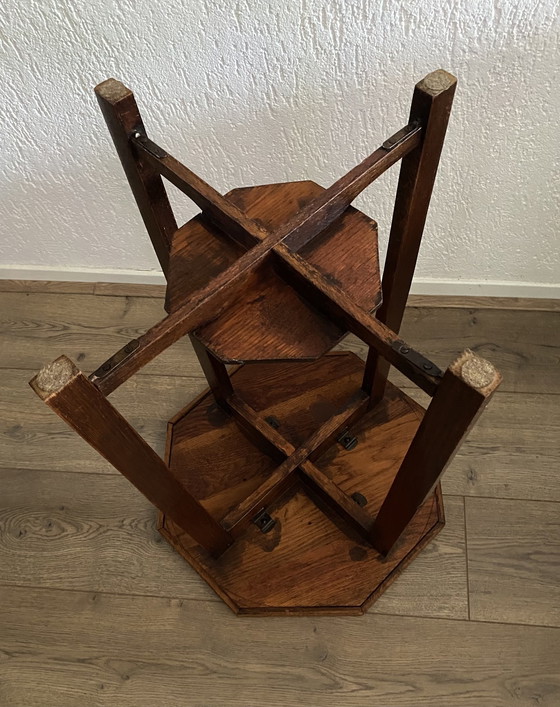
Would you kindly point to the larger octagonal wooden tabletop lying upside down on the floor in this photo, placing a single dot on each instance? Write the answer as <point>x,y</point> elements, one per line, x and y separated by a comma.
<point>309,563</point>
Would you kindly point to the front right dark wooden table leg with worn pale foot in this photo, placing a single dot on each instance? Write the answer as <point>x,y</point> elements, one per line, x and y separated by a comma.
<point>466,388</point>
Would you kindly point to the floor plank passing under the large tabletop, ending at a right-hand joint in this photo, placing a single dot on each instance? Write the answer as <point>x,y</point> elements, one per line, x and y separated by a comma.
<point>97,533</point>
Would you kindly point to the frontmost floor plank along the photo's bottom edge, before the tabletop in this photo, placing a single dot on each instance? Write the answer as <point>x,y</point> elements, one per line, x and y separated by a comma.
<point>72,649</point>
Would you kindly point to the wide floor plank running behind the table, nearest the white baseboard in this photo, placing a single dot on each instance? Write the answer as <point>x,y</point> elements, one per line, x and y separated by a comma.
<point>37,327</point>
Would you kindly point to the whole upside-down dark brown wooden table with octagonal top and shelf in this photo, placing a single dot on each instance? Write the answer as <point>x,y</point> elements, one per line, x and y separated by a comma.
<point>272,273</point>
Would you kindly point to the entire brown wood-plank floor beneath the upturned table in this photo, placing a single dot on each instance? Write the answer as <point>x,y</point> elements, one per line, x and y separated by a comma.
<point>95,609</point>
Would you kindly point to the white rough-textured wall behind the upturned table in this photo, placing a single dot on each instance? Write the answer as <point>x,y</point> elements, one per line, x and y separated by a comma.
<point>254,91</point>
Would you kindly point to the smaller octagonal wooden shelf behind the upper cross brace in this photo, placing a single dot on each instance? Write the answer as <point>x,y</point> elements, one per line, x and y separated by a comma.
<point>287,325</point>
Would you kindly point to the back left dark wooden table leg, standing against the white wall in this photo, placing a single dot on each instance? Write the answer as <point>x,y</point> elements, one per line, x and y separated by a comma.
<point>123,119</point>
